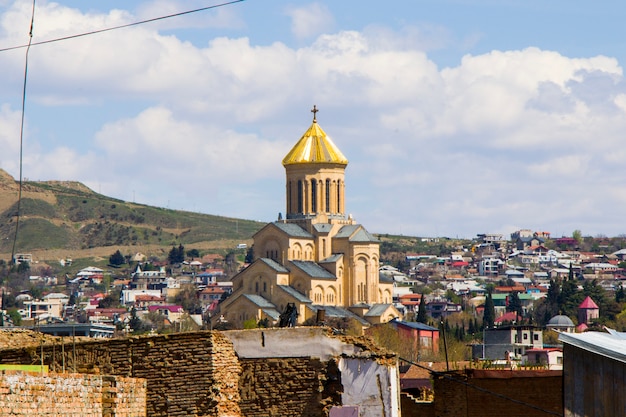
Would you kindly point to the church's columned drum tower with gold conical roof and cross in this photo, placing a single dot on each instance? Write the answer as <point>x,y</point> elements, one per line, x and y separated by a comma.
<point>315,170</point>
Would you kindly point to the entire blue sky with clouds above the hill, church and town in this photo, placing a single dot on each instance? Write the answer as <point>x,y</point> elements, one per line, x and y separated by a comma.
<point>457,117</point>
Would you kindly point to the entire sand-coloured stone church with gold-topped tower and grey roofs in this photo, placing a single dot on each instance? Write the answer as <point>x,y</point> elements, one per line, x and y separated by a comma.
<point>316,261</point>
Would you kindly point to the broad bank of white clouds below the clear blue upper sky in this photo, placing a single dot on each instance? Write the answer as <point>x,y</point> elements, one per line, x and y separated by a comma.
<point>523,137</point>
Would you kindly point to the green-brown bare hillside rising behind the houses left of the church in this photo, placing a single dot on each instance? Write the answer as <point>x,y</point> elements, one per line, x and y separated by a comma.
<point>68,217</point>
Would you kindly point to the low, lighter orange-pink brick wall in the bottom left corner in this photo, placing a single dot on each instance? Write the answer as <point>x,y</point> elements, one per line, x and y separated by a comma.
<point>69,395</point>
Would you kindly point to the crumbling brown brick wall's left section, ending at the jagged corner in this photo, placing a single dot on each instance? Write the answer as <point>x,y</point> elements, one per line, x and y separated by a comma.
<point>187,373</point>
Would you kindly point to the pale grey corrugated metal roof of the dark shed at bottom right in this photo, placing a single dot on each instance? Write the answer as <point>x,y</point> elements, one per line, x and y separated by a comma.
<point>611,345</point>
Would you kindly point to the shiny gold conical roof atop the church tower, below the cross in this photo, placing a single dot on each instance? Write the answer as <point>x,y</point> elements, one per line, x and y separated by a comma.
<point>313,148</point>
